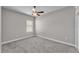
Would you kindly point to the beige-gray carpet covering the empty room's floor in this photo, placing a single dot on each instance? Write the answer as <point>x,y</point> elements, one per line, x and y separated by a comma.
<point>37,45</point>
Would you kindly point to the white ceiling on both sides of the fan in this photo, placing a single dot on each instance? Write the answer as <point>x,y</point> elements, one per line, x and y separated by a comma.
<point>28,9</point>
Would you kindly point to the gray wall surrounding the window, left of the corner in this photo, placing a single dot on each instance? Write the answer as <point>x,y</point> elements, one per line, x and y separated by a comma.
<point>14,24</point>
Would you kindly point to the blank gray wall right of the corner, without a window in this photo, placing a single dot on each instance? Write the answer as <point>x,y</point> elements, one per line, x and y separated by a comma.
<point>58,25</point>
